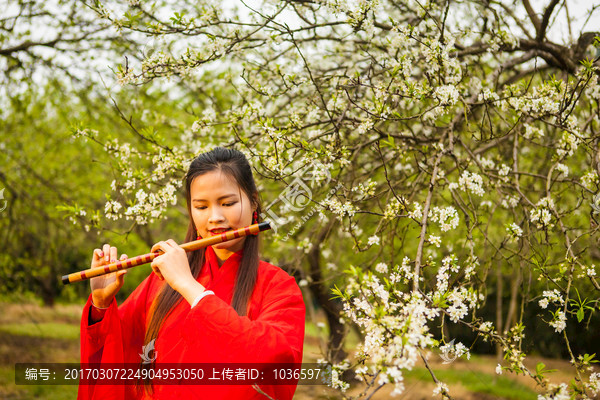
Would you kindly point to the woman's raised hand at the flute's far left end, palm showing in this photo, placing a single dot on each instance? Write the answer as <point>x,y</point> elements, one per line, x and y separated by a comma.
<point>105,287</point>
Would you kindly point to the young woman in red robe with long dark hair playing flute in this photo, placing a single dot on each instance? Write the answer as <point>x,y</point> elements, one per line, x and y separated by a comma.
<point>220,304</point>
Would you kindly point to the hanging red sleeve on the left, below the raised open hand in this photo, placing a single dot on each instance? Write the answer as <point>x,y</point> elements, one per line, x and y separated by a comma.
<point>117,338</point>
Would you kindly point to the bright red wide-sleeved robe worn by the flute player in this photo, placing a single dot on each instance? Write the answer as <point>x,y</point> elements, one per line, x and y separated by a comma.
<point>211,332</point>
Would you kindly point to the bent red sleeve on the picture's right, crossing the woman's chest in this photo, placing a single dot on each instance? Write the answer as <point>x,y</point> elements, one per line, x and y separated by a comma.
<point>214,332</point>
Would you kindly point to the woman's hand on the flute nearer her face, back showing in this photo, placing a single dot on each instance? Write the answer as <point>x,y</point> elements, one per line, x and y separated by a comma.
<point>172,265</point>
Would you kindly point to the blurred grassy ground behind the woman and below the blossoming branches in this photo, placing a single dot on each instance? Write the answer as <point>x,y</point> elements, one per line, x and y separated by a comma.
<point>31,333</point>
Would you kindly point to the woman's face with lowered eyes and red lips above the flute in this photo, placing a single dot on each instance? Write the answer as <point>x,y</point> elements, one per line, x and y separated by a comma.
<point>218,205</point>
